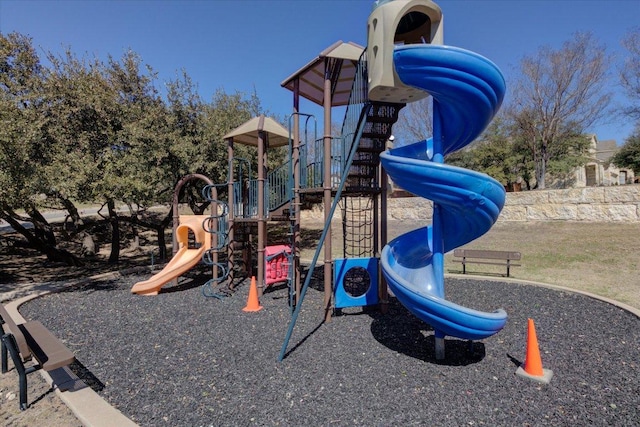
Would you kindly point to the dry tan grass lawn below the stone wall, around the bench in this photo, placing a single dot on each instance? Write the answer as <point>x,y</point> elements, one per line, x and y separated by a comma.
<point>601,258</point>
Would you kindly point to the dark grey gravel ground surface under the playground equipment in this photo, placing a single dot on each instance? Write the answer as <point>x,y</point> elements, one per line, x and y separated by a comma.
<point>183,359</point>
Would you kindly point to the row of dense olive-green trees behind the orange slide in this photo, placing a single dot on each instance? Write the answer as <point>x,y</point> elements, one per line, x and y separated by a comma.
<point>83,130</point>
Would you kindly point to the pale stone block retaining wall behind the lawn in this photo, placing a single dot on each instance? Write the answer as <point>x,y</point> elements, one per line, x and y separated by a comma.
<point>591,204</point>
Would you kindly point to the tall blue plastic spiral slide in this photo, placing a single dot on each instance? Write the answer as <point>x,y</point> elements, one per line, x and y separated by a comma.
<point>467,90</point>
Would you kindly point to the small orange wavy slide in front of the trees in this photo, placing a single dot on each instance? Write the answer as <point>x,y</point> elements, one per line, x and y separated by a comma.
<point>184,260</point>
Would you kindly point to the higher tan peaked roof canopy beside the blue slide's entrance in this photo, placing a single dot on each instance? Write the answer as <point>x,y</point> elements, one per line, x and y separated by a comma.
<point>311,76</point>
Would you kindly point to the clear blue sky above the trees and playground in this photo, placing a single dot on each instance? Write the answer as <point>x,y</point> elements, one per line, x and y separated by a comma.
<point>244,45</point>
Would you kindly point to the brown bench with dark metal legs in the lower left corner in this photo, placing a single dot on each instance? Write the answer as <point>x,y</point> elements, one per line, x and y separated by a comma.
<point>30,343</point>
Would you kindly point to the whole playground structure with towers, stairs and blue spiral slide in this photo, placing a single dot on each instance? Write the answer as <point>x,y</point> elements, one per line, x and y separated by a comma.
<point>405,61</point>
